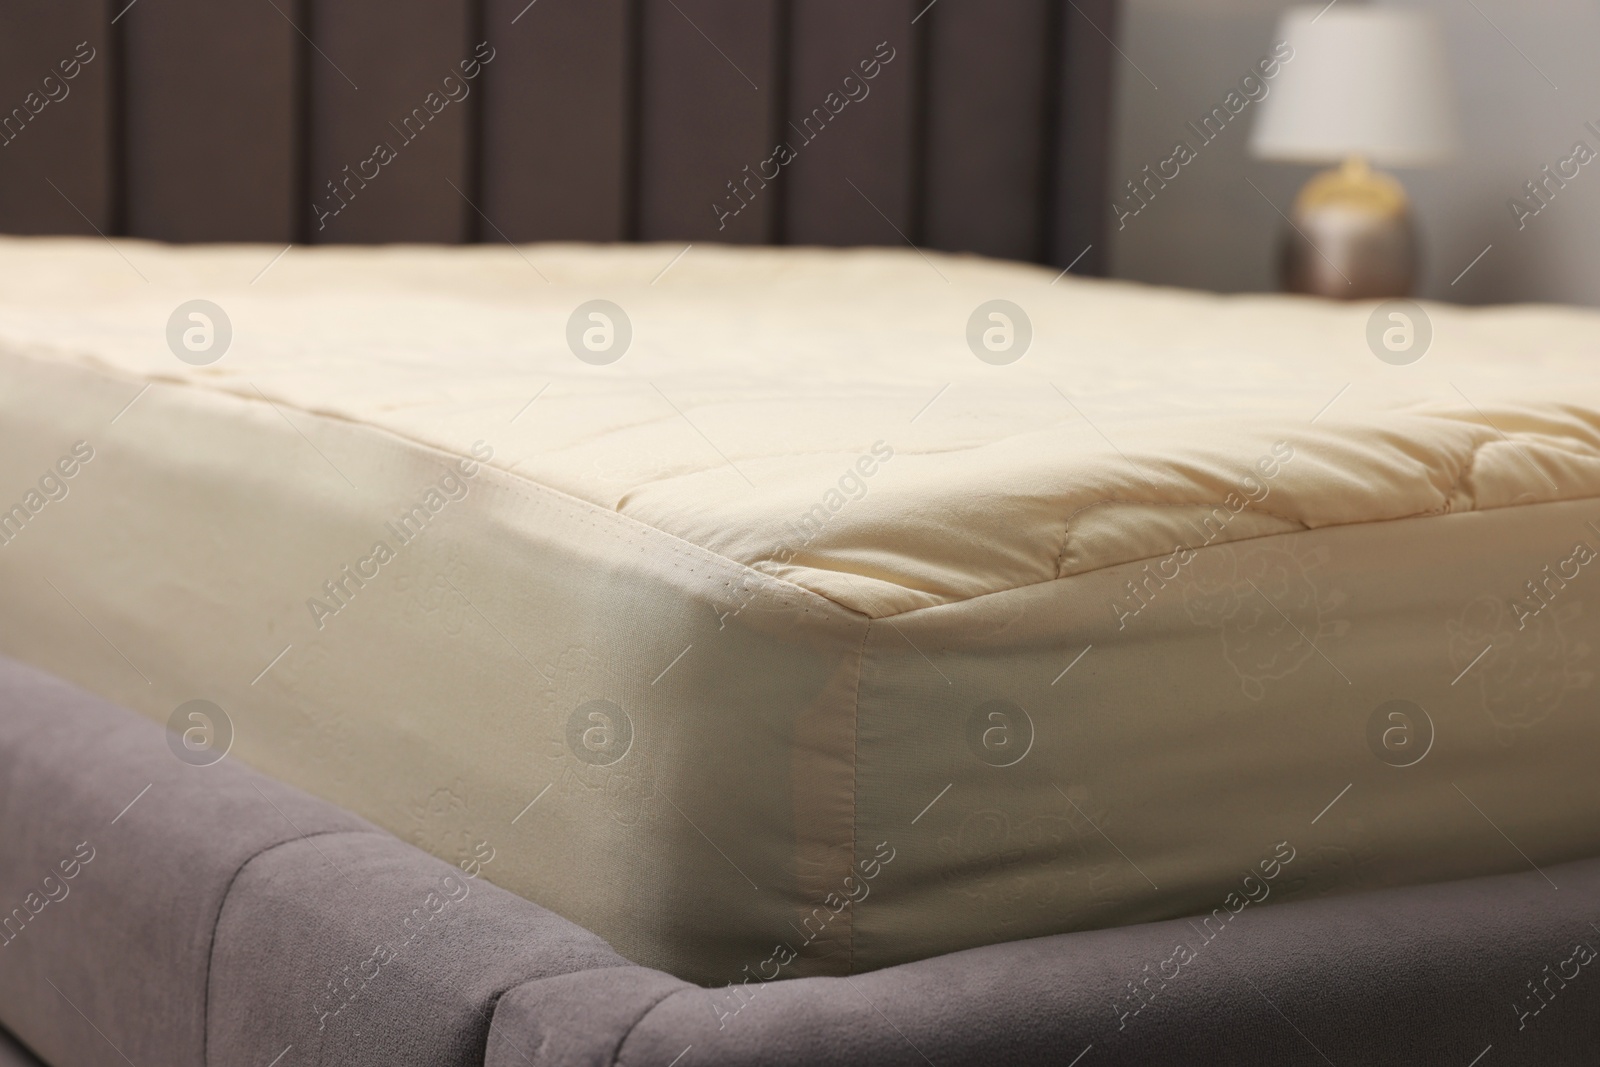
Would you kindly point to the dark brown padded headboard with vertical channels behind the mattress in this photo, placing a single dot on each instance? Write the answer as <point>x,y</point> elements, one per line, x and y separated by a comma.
<point>972,126</point>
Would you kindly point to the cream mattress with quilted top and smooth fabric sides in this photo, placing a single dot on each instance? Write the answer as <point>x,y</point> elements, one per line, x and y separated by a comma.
<point>796,612</point>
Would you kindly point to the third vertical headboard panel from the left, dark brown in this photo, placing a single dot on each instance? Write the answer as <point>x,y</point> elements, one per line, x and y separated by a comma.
<point>378,94</point>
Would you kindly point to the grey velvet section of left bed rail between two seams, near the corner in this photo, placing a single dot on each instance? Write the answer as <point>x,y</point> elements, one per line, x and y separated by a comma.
<point>362,949</point>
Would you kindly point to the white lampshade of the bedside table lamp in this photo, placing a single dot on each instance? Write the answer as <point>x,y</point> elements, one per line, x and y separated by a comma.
<point>1364,81</point>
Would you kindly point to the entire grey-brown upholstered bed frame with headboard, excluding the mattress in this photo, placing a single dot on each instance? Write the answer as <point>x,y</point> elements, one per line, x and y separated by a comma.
<point>218,917</point>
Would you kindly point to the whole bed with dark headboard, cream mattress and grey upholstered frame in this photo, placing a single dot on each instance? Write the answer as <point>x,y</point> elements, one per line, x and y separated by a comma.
<point>748,569</point>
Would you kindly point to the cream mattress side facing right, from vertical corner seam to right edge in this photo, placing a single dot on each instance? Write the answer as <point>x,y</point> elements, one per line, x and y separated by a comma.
<point>1314,713</point>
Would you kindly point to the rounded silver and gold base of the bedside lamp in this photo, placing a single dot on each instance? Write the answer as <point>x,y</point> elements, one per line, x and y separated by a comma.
<point>1351,238</point>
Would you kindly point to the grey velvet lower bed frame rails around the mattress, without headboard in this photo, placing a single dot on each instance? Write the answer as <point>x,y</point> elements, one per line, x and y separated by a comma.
<point>214,916</point>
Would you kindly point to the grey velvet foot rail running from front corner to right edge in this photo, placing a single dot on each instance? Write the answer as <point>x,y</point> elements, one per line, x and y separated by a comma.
<point>1404,977</point>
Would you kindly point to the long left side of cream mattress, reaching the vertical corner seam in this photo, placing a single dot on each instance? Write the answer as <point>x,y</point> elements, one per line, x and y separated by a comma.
<point>649,740</point>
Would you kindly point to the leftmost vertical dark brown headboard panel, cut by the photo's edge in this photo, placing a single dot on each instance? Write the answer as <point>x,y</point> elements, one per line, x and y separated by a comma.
<point>57,129</point>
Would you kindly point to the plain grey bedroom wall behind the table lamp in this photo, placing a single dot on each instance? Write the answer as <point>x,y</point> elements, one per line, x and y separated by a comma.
<point>1210,230</point>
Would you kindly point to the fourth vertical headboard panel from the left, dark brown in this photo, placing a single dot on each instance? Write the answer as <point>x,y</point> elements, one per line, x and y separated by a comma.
<point>558,121</point>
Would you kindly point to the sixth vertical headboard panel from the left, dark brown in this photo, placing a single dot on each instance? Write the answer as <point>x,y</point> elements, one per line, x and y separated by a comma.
<point>874,140</point>
